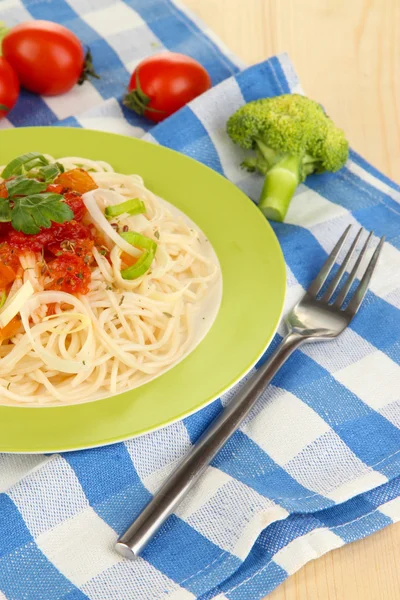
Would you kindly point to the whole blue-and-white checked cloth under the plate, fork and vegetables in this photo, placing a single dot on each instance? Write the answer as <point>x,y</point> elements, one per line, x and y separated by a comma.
<point>317,463</point>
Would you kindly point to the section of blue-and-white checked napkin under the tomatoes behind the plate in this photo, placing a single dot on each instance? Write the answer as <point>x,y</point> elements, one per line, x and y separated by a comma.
<point>119,34</point>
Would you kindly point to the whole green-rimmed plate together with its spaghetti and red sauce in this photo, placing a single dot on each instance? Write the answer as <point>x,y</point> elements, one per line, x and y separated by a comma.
<point>136,286</point>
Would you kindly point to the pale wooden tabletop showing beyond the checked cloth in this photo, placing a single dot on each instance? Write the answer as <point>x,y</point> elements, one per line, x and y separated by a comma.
<point>347,54</point>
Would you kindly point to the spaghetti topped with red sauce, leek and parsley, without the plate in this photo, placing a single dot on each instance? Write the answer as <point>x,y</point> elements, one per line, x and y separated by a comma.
<point>104,295</point>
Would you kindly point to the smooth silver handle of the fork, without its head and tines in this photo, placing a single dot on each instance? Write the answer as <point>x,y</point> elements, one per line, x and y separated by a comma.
<point>132,542</point>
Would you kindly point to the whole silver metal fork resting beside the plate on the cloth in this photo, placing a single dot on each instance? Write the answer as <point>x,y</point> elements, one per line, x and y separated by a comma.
<point>312,319</point>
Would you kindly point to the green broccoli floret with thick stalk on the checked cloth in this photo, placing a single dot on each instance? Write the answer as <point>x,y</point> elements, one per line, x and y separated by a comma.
<point>292,137</point>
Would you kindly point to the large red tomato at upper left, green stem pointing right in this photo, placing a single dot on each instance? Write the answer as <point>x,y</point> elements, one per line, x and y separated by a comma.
<point>47,57</point>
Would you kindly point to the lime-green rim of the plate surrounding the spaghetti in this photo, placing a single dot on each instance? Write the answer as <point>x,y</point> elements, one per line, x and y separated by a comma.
<point>254,287</point>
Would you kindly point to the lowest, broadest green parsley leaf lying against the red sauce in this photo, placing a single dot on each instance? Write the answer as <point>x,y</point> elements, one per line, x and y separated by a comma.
<point>39,210</point>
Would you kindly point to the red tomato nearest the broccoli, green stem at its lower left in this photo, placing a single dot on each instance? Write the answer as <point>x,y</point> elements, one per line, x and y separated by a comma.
<point>162,84</point>
